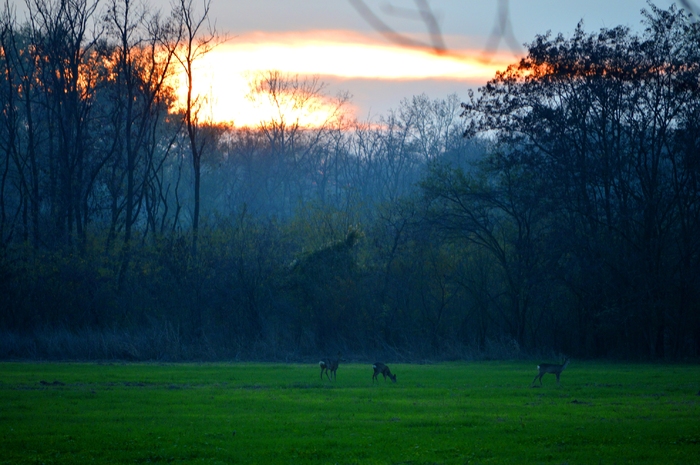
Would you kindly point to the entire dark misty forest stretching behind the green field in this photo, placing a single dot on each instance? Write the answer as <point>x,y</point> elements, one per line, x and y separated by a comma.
<point>557,211</point>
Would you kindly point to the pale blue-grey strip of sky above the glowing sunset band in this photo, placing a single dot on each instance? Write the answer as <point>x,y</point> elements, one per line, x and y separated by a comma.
<point>459,17</point>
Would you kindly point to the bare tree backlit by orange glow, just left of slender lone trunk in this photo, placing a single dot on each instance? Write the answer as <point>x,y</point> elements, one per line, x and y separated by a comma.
<point>141,67</point>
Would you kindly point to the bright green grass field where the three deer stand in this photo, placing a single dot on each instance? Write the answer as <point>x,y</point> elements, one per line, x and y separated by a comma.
<point>452,413</point>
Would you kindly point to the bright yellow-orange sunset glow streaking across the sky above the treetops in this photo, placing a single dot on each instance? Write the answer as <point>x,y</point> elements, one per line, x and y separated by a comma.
<point>222,77</point>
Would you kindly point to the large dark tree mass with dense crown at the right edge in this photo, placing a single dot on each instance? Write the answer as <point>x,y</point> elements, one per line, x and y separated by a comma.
<point>595,167</point>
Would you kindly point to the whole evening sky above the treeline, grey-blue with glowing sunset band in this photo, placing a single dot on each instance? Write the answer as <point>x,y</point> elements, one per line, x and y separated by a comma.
<point>336,40</point>
